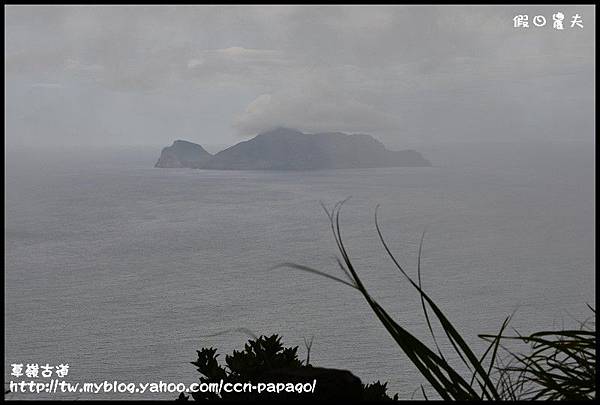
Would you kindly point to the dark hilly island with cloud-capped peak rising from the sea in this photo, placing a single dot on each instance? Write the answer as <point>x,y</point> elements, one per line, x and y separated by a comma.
<point>290,149</point>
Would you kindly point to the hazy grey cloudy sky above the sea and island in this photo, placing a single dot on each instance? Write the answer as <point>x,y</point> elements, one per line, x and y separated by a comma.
<point>111,75</point>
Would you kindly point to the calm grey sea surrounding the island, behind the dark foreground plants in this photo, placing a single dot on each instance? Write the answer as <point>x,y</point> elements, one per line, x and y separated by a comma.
<point>123,271</point>
